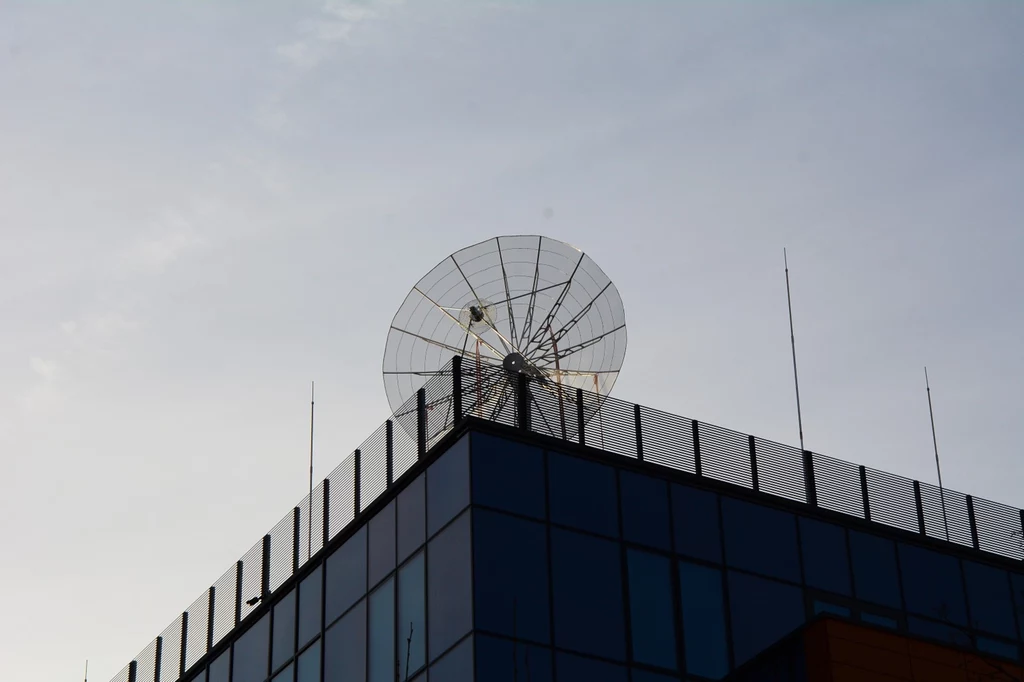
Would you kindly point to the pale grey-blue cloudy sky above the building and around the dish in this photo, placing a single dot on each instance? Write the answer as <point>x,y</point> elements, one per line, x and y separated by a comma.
<point>204,206</point>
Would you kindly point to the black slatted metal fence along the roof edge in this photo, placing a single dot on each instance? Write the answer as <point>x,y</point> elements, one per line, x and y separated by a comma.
<point>546,408</point>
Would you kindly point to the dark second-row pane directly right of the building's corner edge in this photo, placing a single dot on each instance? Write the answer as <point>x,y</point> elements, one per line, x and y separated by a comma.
<point>511,577</point>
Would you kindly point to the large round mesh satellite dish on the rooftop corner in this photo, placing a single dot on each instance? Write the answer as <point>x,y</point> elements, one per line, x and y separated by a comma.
<point>509,306</point>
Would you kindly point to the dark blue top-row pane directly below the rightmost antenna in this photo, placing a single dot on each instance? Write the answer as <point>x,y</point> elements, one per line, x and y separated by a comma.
<point>932,584</point>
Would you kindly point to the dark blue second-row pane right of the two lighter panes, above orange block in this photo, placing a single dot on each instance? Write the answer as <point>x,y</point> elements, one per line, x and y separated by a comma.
<point>763,613</point>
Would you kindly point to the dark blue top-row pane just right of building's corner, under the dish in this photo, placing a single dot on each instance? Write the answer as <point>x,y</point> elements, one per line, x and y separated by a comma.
<point>508,476</point>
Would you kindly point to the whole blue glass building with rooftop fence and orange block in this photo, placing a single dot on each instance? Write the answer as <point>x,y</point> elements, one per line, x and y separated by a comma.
<point>643,547</point>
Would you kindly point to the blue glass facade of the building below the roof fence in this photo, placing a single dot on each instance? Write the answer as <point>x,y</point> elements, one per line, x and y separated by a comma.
<point>503,562</point>
